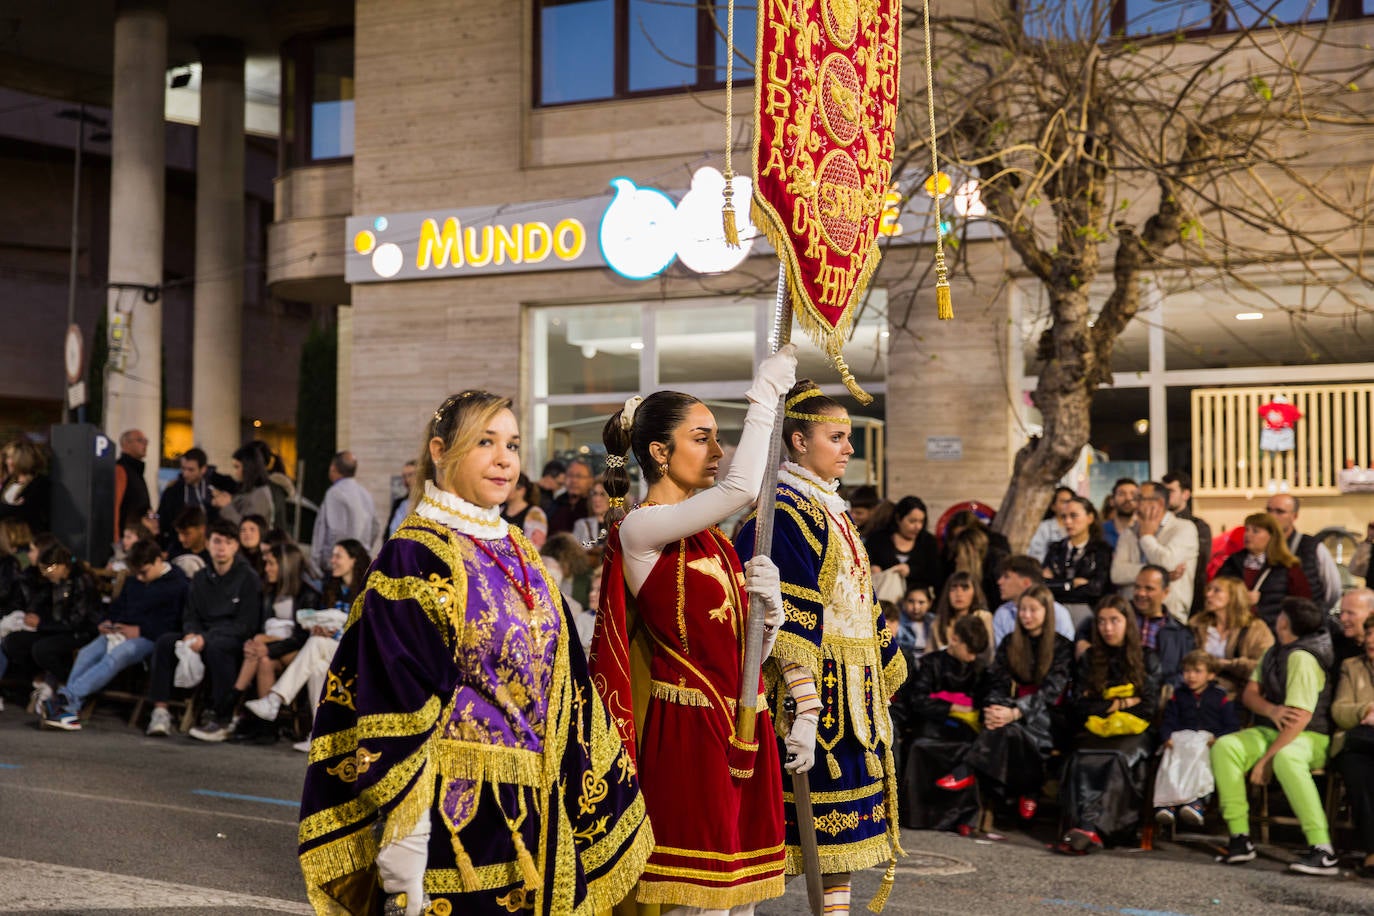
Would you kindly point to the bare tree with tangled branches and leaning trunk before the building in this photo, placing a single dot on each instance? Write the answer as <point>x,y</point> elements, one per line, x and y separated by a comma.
<point>1211,152</point>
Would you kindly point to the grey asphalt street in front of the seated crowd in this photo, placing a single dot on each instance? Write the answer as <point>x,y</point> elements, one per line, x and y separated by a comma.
<point>113,823</point>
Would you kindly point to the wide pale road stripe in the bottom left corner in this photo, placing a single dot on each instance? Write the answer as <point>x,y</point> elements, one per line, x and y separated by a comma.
<point>30,886</point>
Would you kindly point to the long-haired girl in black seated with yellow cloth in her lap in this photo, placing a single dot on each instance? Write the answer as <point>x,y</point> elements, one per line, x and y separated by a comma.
<point>1116,696</point>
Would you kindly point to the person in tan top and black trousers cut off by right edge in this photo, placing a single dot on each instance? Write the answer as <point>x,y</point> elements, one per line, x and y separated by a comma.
<point>1353,749</point>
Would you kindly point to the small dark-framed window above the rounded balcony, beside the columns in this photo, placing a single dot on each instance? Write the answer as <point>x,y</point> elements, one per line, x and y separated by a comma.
<point>318,100</point>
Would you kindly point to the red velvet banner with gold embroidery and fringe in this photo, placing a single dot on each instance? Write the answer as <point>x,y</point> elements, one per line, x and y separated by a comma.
<point>825,117</point>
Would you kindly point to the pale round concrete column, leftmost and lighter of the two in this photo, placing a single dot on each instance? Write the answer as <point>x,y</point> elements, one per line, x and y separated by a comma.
<point>138,181</point>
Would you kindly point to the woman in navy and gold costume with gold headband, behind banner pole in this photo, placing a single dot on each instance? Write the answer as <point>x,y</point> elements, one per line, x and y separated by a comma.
<point>833,657</point>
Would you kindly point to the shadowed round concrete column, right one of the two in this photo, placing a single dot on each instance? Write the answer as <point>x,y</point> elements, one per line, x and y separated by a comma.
<point>218,343</point>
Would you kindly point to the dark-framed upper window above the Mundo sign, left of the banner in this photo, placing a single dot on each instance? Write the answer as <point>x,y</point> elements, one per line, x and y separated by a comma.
<point>590,50</point>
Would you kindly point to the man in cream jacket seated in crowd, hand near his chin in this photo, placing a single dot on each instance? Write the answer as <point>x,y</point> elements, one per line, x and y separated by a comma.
<point>1158,538</point>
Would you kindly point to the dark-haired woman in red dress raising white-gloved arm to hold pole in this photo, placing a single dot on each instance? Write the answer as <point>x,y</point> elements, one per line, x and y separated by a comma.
<point>670,642</point>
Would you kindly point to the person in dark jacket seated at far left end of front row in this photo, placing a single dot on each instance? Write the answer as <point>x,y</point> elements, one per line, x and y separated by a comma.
<point>64,613</point>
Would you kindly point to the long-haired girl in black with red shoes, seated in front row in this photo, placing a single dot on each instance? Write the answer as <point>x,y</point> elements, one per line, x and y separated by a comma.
<point>1028,679</point>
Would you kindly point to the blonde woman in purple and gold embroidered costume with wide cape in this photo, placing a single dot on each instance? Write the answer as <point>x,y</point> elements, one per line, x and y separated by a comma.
<point>462,762</point>
